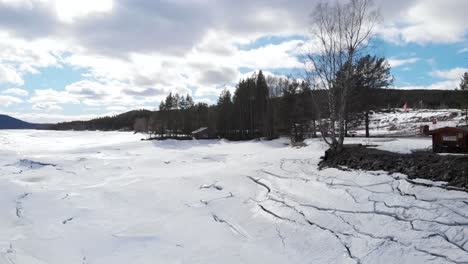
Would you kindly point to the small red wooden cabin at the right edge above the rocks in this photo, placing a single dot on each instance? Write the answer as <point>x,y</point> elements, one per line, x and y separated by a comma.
<point>450,139</point>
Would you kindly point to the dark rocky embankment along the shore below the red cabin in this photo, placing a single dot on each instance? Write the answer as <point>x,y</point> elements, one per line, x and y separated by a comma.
<point>452,169</point>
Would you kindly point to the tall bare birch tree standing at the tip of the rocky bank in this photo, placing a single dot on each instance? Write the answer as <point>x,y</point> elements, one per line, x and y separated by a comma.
<point>341,33</point>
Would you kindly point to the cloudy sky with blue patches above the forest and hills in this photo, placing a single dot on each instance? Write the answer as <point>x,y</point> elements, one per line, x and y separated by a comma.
<point>68,59</point>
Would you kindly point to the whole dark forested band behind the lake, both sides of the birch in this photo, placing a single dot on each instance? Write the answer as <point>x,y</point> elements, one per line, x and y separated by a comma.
<point>263,107</point>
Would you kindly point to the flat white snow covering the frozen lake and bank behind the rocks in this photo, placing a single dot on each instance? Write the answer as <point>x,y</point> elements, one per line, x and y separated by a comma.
<point>107,197</point>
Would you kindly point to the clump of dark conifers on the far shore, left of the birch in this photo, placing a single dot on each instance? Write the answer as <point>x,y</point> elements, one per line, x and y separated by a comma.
<point>254,110</point>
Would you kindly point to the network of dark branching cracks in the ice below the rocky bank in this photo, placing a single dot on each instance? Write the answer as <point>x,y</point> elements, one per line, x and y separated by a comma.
<point>395,184</point>
